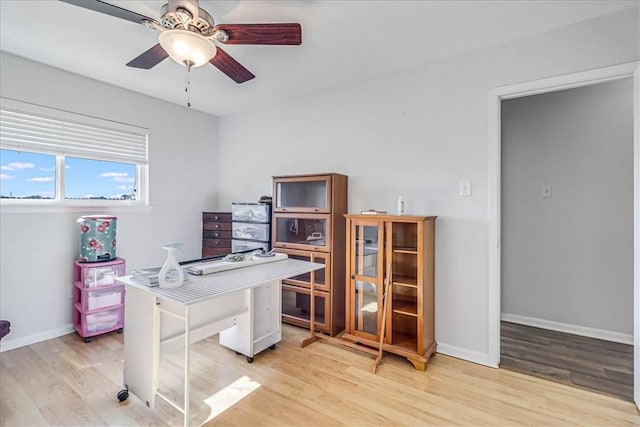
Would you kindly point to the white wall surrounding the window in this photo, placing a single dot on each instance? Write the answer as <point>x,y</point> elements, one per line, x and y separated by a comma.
<point>37,249</point>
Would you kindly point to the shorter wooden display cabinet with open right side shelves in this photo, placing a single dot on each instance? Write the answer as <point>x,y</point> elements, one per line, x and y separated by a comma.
<point>402,248</point>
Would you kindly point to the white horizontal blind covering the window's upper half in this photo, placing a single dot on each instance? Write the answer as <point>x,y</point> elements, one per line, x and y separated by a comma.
<point>28,127</point>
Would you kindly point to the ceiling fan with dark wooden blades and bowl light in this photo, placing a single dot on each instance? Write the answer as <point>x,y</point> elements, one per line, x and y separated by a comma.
<point>188,33</point>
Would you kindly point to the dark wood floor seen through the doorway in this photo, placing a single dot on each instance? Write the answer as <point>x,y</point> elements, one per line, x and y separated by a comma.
<point>599,365</point>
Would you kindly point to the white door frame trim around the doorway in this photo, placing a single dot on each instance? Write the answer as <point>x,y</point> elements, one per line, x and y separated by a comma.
<point>553,84</point>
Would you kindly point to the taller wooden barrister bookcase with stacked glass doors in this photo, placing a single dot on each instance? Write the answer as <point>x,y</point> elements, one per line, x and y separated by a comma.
<point>309,224</point>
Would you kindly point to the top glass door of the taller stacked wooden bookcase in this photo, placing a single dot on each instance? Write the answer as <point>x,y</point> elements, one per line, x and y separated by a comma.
<point>302,194</point>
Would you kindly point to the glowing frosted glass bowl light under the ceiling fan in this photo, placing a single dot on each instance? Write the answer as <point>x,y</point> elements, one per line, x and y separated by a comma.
<point>187,48</point>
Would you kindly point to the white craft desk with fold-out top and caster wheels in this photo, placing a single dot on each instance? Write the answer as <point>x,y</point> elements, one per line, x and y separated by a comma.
<point>243,305</point>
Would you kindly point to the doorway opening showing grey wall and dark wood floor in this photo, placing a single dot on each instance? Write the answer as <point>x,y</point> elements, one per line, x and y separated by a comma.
<point>567,236</point>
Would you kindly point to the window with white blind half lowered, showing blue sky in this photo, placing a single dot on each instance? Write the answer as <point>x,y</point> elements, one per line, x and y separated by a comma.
<point>50,156</point>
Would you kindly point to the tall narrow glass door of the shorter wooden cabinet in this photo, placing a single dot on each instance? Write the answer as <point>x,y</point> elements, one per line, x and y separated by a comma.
<point>366,278</point>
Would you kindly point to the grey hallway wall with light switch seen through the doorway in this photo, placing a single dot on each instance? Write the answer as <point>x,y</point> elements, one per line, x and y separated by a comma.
<point>569,258</point>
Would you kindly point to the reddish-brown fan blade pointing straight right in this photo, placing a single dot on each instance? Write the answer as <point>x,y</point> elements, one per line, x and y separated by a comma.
<point>274,34</point>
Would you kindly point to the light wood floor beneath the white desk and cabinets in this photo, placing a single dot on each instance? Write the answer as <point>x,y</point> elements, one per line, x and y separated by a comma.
<point>65,382</point>
